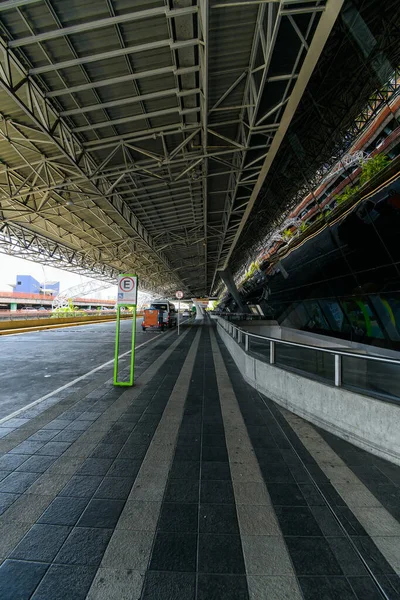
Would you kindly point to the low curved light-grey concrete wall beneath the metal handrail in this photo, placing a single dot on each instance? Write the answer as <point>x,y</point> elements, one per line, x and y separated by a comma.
<point>371,424</point>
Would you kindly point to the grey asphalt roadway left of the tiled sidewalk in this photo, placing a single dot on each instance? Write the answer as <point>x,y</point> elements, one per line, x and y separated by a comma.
<point>35,364</point>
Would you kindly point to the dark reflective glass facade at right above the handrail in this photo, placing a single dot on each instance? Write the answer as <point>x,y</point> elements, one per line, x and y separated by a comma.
<point>344,280</point>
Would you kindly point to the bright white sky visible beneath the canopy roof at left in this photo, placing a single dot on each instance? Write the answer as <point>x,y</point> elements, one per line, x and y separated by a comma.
<point>11,266</point>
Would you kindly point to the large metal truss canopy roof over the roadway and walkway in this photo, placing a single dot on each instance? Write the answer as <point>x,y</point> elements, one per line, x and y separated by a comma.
<point>136,134</point>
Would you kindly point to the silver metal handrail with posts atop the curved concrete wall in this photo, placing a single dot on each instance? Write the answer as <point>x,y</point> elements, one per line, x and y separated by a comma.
<point>238,333</point>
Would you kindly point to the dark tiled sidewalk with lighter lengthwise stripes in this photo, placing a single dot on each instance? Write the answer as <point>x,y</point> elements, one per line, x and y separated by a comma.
<point>191,486</point>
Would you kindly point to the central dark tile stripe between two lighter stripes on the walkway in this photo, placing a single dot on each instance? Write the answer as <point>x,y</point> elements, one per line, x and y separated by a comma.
<point>197,532</point>
